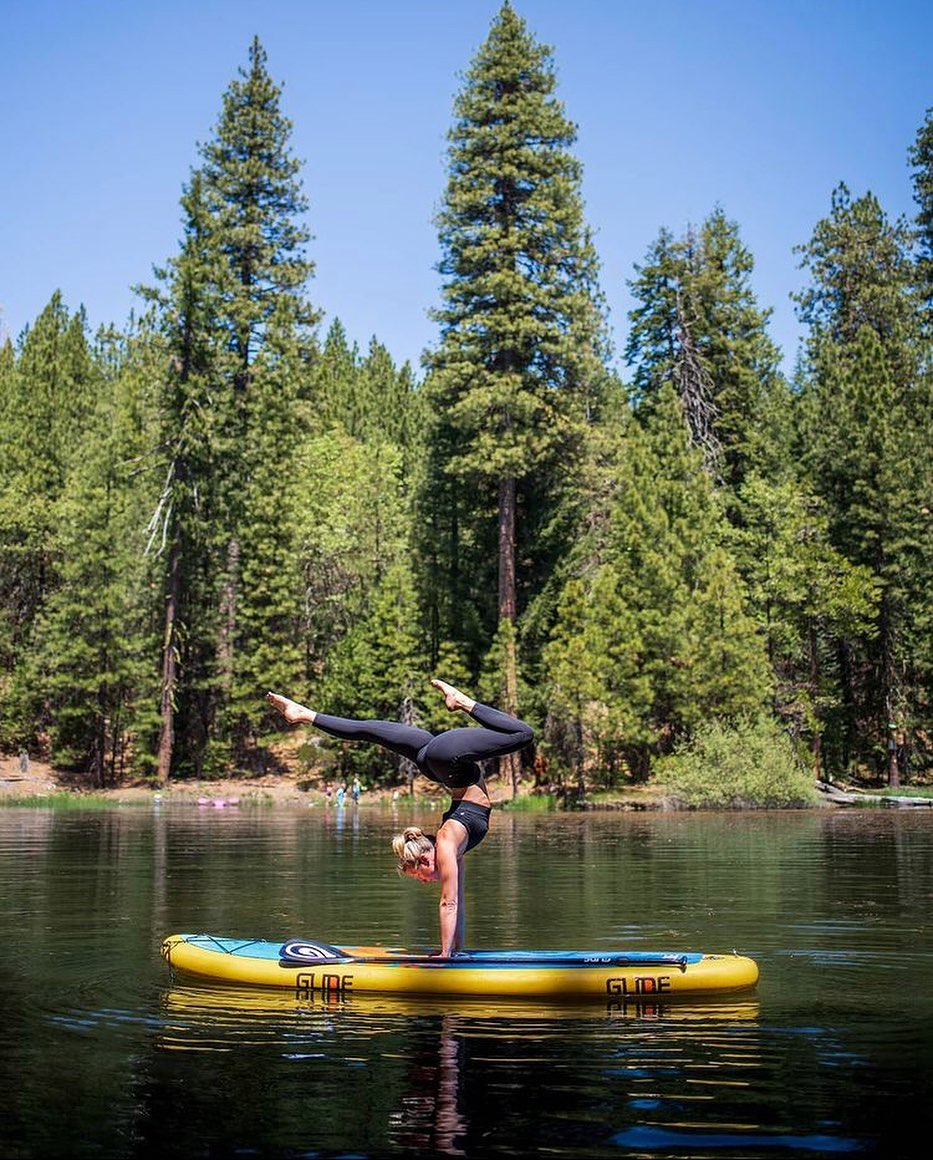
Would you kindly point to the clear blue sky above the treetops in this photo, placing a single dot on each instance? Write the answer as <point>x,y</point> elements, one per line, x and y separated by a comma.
<point>761,107</point>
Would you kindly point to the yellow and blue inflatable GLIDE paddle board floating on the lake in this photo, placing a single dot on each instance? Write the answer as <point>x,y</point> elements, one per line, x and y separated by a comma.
<point>312,968</point>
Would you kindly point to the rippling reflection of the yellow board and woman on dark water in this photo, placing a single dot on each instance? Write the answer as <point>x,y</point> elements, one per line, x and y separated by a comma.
<point>452,1052</point>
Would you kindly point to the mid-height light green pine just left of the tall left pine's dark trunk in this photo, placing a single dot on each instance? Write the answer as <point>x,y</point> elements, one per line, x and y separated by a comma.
<point>95,639</point>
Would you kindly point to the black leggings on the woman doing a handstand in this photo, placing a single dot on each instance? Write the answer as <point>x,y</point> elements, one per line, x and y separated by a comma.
<point>450,758</point>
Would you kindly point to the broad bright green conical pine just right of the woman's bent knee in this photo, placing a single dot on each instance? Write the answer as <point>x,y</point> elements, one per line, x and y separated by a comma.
<point>653,636</point>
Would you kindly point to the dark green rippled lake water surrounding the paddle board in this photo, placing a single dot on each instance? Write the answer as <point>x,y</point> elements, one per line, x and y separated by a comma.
<point>104,1055</point>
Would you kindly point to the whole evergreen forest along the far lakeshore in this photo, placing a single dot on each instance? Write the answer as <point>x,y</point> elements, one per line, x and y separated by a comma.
<point>624,547</point>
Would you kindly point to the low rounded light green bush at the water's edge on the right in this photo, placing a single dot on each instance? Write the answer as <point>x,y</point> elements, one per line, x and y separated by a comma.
<point>747,764</point>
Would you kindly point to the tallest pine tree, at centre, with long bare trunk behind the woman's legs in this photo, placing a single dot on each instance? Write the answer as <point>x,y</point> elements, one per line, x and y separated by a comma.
<point>518,372</point>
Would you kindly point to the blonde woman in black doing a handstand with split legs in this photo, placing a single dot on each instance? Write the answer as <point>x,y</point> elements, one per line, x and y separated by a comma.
<point>450,759</point>
